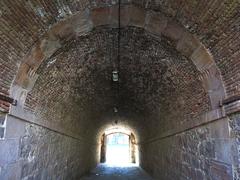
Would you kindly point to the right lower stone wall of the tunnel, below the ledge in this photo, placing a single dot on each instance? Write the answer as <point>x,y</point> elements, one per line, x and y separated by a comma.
<point>201,153</point>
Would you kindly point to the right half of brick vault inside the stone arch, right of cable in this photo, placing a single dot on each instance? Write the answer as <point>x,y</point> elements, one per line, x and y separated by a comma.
<point>158,80</point>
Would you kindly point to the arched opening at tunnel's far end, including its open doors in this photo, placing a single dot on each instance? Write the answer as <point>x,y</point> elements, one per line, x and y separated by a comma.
<point>123,143</point>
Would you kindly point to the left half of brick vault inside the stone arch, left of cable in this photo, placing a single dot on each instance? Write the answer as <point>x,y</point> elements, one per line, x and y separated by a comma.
<point>74,87</point>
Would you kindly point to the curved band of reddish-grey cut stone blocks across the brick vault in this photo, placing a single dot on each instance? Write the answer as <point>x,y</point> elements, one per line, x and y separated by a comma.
<point>153,22</point>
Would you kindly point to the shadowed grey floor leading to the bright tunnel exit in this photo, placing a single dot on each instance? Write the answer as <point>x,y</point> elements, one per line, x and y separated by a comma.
<point>107,172</point>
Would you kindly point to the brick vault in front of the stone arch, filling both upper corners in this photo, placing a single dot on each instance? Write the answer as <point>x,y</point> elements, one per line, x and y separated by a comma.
<point>217,31</point>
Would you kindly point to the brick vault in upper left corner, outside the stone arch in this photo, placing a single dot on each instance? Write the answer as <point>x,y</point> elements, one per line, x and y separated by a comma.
<point>22,24</point>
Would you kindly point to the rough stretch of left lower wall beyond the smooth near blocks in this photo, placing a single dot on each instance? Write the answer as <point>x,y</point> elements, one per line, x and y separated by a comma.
<point>50,155</point>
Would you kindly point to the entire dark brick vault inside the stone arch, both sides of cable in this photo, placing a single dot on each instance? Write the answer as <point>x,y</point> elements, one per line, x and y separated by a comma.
<point>75,84</point>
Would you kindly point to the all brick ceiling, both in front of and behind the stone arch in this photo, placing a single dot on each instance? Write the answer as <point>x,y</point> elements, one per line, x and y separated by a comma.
<point>153,75</point>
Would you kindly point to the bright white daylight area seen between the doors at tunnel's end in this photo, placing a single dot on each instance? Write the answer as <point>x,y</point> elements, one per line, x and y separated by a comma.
<point>118,149</point>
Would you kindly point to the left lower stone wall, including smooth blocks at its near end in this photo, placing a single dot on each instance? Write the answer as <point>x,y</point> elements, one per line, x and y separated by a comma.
<point>30,151</point>
